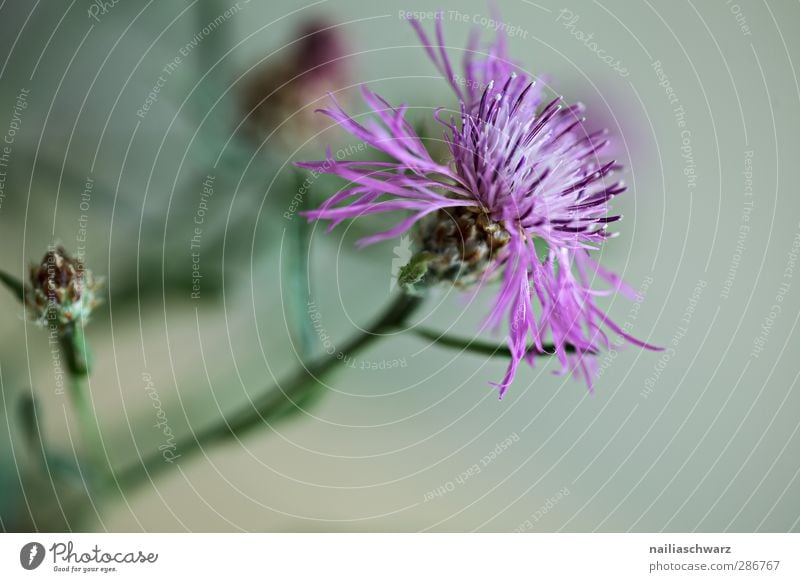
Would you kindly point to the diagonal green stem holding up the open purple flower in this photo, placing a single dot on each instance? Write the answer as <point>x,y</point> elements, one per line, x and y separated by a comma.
<point>277,402</point>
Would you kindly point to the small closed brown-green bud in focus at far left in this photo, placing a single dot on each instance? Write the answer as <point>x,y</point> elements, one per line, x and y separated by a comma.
<point>61,291</point>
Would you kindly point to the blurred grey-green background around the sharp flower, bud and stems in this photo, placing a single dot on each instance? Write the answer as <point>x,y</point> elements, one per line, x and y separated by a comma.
<point>156,140</point>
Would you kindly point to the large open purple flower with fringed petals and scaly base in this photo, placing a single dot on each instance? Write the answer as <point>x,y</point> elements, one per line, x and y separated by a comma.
<point>521,170</point>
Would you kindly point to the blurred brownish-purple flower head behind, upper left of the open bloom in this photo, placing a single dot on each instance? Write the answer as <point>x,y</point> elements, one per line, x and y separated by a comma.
<point>278,98</point>
